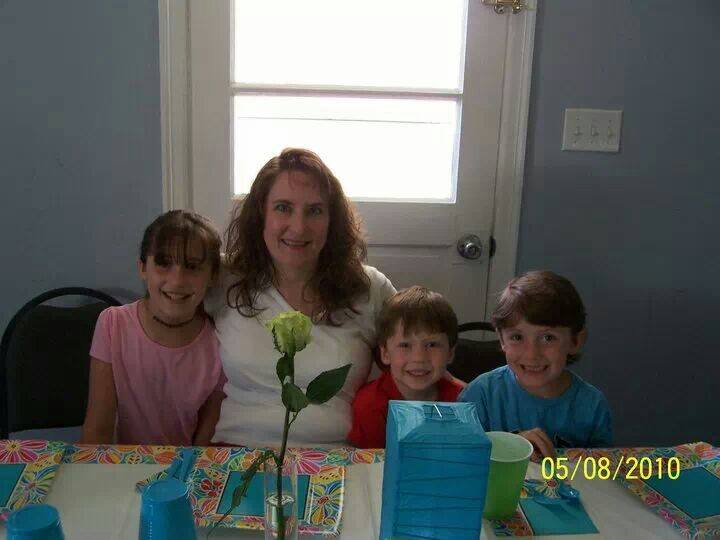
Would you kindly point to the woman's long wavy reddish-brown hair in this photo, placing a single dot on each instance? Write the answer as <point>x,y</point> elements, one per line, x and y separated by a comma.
<point>339,278</point>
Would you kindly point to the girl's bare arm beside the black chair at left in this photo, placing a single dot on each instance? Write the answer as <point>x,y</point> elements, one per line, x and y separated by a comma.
<point>99,426</point>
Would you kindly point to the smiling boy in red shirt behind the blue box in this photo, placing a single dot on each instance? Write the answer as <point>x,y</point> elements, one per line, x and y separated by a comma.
<point>416,332</point>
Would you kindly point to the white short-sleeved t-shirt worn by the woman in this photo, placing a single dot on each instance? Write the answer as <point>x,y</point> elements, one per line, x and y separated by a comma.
<point>253,413</point>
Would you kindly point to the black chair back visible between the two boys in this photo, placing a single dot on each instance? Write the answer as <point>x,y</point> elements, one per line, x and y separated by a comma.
<point>473,357</point>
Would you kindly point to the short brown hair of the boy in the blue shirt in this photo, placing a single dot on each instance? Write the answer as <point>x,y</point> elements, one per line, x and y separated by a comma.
<point>542,298</point>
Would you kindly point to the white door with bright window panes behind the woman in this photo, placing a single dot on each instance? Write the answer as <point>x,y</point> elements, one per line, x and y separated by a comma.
<point>413,238</point>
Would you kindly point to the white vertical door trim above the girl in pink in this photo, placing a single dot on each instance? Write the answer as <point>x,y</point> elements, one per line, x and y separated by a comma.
<point>174,100</point>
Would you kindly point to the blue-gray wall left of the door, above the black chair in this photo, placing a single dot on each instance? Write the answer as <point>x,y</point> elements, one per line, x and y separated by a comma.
<point>80,172</point>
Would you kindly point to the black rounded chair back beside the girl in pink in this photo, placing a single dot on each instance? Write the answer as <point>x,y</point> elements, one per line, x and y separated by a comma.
<point>45,359</point>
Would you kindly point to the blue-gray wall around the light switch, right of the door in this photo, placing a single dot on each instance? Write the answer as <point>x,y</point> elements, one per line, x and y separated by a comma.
<point>635,231</point>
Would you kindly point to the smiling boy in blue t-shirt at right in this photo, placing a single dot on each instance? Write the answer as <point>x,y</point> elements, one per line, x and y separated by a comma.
<point>540,321</point>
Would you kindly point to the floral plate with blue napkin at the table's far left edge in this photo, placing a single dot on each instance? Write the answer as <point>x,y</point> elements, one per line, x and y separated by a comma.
<point>27,470</point>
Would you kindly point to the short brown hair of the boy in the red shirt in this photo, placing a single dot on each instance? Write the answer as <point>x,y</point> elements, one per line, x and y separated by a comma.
<point>418,308</point>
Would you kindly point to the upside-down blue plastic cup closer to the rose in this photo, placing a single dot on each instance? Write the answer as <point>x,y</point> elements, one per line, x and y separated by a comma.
<point>165,512</point>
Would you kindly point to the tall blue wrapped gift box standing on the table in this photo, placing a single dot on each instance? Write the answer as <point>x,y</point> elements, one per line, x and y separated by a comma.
<point>436,465</point>
